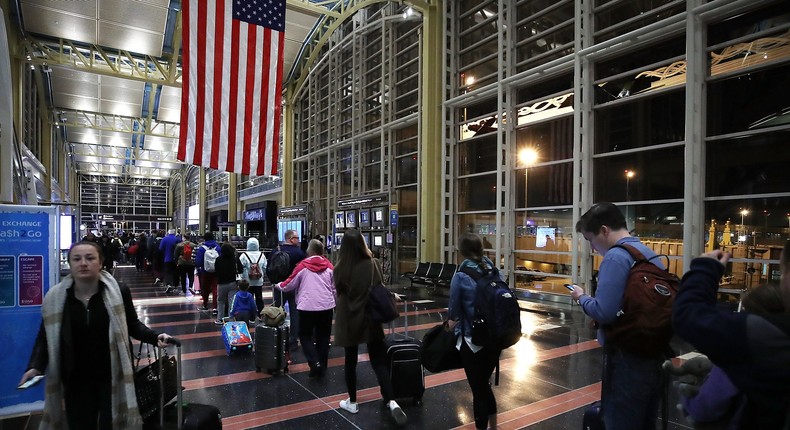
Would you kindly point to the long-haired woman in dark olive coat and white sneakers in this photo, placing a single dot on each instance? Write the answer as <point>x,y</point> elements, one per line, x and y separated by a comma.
<point>353,326</point>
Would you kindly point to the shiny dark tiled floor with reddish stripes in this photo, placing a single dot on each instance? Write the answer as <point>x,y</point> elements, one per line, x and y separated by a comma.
<point>546,379</point>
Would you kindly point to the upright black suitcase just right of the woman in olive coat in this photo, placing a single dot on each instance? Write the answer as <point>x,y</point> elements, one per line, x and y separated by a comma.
<point>405,367</point>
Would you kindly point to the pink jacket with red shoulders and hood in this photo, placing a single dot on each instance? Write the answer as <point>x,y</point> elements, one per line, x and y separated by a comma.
<point>312,280</point>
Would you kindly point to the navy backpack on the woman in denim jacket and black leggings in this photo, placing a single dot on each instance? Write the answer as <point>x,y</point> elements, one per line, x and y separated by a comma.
<point>497,319</point>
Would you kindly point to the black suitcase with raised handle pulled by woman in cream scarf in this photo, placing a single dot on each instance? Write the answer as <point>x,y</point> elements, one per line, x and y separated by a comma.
<point>192,416</point>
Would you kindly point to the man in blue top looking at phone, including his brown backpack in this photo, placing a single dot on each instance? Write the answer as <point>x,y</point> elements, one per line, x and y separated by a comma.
<point>634,341</point>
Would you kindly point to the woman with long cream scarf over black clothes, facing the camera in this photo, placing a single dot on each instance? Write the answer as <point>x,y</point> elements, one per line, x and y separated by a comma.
<point>88,361</point>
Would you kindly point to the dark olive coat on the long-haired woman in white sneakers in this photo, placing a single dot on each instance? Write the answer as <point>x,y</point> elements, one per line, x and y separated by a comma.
<point>352,320</point>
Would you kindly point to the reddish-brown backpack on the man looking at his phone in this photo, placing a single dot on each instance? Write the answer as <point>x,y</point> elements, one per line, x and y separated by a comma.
<point>644,324</point>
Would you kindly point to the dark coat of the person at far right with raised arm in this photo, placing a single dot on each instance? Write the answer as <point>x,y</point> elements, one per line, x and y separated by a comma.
<point>752,350</point>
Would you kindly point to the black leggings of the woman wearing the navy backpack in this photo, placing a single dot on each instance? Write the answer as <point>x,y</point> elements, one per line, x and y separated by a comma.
<point>479,367</point>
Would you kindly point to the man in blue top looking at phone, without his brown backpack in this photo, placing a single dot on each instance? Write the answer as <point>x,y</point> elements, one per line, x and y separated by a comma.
<point>633,381</point>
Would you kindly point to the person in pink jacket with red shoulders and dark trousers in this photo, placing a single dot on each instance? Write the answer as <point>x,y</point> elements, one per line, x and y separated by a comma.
<point>312,282</point>
